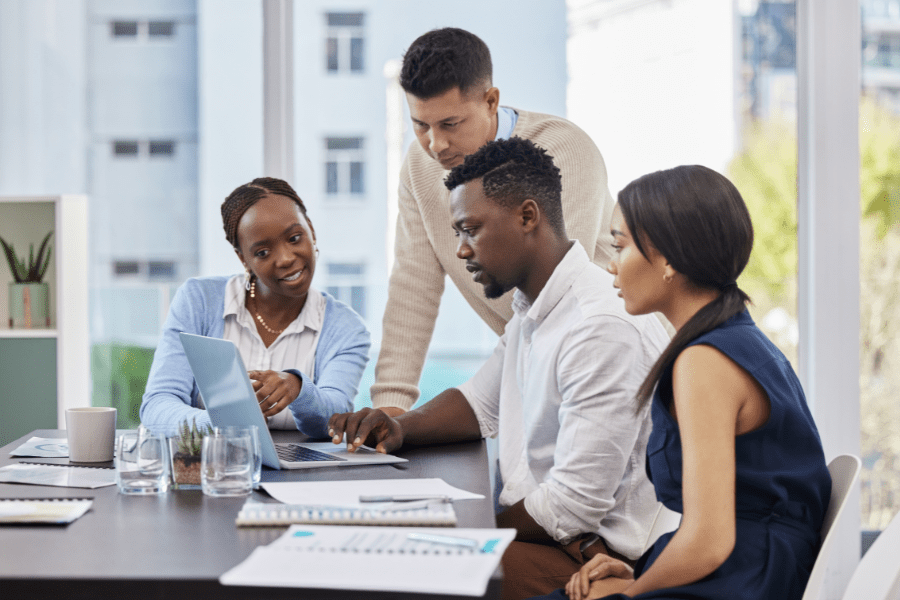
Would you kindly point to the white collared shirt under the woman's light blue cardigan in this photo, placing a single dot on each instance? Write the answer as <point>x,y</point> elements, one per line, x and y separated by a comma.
<point>294,348</point>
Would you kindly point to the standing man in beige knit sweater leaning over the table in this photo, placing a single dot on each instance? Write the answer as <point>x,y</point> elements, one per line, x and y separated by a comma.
<point>455,110</point>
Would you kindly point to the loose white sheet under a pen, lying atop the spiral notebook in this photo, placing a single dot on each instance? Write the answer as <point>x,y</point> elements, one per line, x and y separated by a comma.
<point>346,494</point>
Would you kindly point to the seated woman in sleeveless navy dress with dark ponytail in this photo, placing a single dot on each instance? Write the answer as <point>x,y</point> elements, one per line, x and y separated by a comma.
<point>734,447</point>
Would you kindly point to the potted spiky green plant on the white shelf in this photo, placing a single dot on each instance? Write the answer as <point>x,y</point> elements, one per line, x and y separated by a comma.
<point>29,300</point>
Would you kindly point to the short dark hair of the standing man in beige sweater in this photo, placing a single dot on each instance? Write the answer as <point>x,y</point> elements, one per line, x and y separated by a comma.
<point>443,59</point>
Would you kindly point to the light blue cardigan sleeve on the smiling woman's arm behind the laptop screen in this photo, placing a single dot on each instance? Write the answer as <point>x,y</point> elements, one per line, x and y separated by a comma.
<point>171,396</point>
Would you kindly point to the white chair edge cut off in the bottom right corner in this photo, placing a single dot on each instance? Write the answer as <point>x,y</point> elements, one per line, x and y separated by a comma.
<point>878,575</point>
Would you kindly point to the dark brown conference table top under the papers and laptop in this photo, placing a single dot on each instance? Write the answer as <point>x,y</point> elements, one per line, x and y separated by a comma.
<point>176,545</point>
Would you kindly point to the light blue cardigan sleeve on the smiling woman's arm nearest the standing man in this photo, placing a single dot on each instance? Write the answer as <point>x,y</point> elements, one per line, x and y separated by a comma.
<point>341,357</point>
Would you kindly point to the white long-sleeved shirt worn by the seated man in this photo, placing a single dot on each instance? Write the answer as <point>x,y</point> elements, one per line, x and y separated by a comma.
<point>559,390</point>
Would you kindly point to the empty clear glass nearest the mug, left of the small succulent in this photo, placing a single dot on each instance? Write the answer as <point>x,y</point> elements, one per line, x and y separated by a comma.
<point>141,462</point>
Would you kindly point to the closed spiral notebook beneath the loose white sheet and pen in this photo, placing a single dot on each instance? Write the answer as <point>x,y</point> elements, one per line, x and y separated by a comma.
<point>258,514</point>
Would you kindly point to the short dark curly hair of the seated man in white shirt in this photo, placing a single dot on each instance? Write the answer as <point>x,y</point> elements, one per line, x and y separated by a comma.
<point>512,170</point>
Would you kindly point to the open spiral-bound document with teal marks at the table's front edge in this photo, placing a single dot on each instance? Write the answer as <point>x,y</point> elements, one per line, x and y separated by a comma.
<point>375,558</point>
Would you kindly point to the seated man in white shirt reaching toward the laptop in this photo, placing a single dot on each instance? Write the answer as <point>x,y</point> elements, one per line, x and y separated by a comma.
<point>559,388</point>
